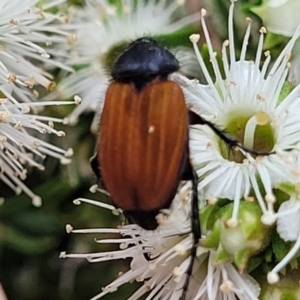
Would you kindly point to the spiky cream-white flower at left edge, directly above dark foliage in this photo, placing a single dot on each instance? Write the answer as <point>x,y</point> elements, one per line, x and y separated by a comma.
<point>19,148</point>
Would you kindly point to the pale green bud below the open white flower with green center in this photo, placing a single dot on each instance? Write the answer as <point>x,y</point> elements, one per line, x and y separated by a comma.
<point>240,239</point>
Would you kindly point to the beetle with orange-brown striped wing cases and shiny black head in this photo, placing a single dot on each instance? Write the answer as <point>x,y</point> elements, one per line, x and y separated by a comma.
<point>142,152</point>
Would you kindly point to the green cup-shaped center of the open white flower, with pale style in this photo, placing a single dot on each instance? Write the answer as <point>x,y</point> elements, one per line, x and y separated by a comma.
<point>254,132</point>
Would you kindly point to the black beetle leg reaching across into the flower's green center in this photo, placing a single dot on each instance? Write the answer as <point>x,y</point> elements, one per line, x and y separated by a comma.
<point>232,142</point>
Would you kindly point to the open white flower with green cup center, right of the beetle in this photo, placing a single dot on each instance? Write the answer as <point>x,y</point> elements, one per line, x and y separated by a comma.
<point>246,104</point>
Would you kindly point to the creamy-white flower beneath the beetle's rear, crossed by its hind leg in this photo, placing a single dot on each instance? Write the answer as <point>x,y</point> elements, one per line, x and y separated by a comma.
<point>160,259</point>
